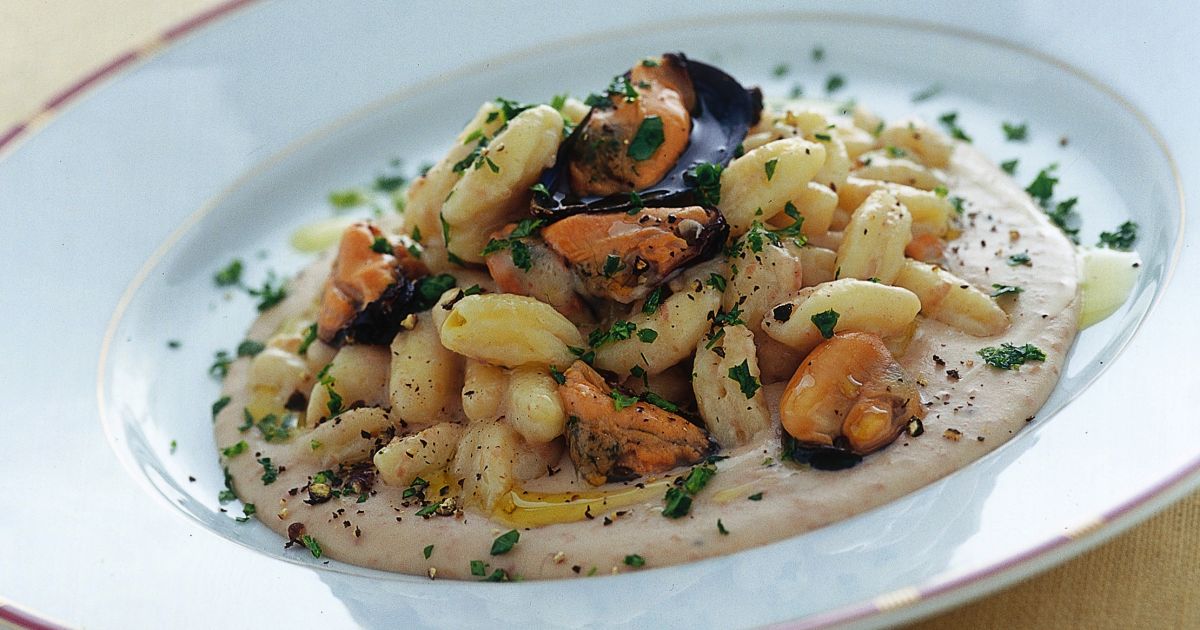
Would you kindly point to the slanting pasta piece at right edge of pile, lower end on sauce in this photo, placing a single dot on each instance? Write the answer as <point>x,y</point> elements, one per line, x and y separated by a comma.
<point>952,301</point>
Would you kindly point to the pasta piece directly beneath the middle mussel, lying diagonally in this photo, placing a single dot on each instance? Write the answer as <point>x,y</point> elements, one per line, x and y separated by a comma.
<point>680,322</point>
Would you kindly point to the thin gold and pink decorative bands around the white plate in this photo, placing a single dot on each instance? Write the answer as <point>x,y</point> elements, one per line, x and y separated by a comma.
<point>911,603</point>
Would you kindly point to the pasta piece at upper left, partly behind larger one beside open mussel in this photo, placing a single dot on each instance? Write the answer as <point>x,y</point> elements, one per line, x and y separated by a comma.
<point>428,193</point>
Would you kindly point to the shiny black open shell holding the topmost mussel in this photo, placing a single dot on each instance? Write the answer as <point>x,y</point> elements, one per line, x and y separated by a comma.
<point>724,112</point>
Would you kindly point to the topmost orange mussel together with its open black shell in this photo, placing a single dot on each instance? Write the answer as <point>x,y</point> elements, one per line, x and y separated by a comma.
<point>640,141</point>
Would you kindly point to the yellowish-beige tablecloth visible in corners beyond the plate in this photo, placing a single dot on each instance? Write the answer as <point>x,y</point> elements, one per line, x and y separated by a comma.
<point>1147,578</point>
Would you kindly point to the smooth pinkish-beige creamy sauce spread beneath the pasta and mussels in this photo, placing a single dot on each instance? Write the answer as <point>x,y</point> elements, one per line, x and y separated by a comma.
<point>983,405</point>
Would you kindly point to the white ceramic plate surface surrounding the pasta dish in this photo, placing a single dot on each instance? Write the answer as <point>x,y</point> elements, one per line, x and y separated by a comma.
<point>227,141</point>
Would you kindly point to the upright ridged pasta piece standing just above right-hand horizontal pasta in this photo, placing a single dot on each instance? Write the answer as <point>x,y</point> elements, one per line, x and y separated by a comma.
<point>873,247</point>
